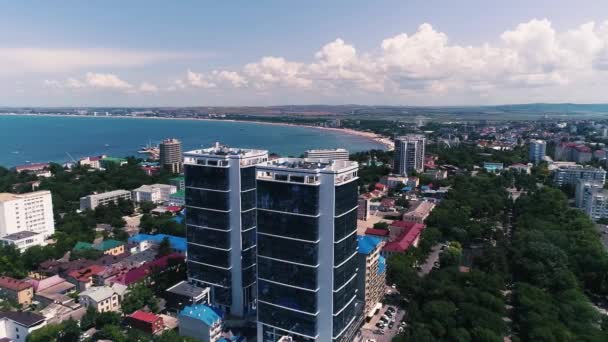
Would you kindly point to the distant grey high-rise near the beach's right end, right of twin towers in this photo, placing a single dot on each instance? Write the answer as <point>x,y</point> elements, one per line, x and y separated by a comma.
<point>409,154</point>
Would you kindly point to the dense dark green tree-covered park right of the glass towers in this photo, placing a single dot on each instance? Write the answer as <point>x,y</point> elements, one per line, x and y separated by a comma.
<point>529,285</point>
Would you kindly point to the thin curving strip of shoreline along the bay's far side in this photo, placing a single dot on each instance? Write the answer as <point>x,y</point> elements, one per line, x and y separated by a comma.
<point>381,140</point>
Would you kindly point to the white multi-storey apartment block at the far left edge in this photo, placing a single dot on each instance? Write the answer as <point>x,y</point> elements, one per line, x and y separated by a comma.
<point>27,212</point>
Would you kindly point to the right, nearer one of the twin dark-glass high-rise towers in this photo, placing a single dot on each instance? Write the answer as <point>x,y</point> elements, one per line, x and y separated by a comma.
<point>307,249</point>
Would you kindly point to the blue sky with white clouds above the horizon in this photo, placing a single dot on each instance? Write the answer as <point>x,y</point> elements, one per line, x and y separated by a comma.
<point>236,53</point>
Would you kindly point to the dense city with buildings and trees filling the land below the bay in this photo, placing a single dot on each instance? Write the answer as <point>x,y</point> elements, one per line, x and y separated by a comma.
<point>460,231</point>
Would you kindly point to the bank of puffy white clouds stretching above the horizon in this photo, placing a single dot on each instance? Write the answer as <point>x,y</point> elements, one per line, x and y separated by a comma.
<point>411,67</point>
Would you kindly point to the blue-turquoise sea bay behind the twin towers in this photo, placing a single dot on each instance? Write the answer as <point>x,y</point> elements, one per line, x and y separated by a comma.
<point>31,139</point>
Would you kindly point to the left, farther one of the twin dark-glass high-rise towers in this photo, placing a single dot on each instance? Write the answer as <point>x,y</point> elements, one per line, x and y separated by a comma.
<point>220,201</point>
